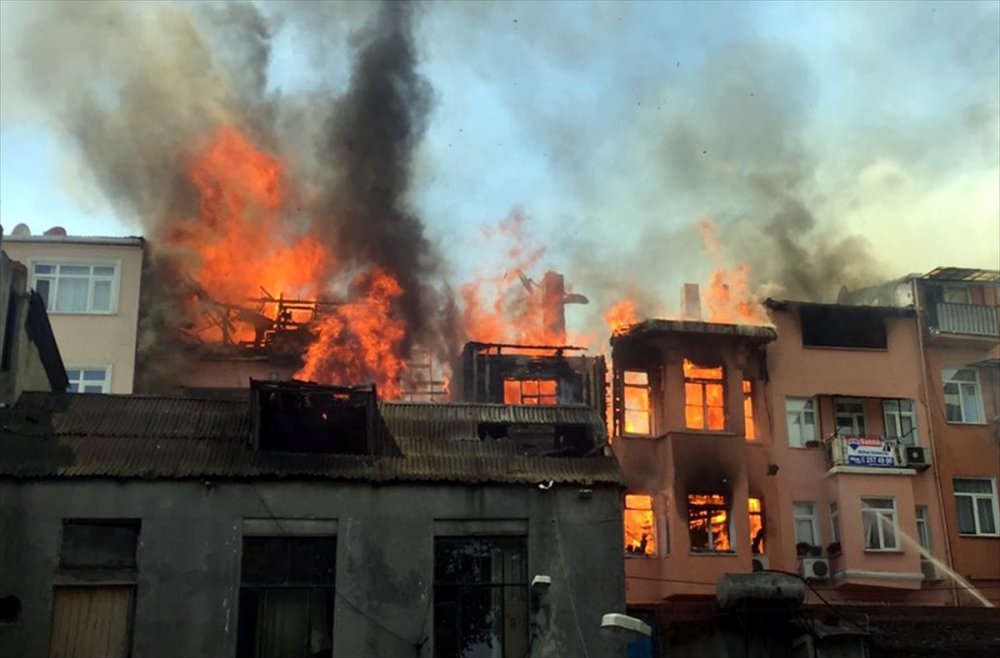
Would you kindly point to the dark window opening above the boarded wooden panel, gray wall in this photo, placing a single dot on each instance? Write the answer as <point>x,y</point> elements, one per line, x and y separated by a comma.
<point>99,544</point>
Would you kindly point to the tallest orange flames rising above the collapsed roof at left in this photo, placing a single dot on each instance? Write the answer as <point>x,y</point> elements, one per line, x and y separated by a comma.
<point>237,249</point>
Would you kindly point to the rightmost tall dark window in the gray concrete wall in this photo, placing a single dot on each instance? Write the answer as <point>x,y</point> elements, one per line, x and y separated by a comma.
<point>480,596</point>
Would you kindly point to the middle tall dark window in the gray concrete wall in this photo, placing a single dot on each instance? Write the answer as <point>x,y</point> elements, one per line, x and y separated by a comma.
<point>287,597</point>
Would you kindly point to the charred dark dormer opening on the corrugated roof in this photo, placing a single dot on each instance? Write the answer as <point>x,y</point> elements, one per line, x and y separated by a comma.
<point>309,418</point>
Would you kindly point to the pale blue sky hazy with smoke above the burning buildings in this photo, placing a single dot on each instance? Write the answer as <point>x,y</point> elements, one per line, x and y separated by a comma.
<point>839,143</point>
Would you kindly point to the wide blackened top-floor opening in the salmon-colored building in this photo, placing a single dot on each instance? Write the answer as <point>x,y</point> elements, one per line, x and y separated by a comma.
<point>843,326</point>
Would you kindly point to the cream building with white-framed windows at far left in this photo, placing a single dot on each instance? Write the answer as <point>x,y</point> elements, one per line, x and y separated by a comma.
<point>91,290</point>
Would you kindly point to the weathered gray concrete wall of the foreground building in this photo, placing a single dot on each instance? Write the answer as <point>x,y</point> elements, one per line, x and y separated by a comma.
<point>190,548</point>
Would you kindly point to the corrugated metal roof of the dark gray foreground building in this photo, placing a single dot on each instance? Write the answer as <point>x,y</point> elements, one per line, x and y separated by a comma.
<point>62,435</point>
